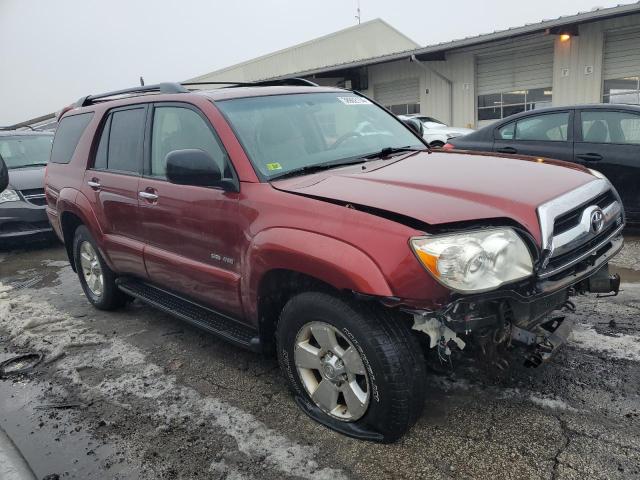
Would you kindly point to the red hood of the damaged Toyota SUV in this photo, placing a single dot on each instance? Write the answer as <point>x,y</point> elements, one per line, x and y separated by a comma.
<point>443,187</point>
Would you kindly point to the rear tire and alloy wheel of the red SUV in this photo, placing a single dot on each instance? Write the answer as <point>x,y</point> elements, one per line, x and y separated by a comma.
<point>107,296</point>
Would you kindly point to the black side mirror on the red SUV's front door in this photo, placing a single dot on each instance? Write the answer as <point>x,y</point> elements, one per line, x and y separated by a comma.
<point>195,167</point>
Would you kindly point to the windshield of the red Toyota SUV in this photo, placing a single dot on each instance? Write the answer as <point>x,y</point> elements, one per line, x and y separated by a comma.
<point>283,133</point>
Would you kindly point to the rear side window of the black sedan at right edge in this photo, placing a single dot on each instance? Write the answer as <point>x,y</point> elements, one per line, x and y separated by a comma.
<point>610,127</point>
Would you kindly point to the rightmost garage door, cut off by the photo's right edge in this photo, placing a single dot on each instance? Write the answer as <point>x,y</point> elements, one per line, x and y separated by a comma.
<point>621,69</point>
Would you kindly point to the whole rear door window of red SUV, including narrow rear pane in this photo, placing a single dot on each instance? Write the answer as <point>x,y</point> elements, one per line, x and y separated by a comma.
<point>120,146</point>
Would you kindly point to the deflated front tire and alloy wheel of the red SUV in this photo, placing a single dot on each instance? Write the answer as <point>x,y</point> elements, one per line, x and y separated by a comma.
<point>394,368</point>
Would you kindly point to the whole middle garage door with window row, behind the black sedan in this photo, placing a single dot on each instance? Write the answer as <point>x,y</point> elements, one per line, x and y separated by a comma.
<point>515,79</point>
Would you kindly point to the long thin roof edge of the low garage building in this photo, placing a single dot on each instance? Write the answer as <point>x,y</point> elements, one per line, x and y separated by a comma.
<point>552,25</point>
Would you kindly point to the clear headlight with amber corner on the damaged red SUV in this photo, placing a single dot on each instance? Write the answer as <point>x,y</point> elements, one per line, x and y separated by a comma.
<point>475,261</point>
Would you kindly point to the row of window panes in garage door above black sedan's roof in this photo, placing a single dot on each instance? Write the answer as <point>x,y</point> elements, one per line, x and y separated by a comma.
<point>495,106</point>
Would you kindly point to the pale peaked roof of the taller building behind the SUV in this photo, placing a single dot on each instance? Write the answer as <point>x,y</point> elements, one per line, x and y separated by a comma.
<point>369,39</point>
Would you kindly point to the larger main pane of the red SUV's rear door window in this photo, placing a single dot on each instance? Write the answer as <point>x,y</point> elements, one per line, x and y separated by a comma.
<point>125,140</point>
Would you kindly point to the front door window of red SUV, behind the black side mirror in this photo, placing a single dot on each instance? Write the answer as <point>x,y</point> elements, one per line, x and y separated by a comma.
<point>176,128</point>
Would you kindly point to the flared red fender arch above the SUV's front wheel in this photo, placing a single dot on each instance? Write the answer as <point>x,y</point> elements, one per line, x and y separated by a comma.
<point>332,261</point>
